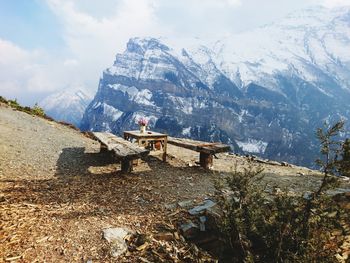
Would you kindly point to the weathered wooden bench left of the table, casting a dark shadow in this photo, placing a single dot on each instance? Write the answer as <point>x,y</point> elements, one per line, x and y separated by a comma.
<point>122,149</point>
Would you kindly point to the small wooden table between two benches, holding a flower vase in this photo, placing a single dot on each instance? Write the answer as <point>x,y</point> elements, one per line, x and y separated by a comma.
<point>148,136</point>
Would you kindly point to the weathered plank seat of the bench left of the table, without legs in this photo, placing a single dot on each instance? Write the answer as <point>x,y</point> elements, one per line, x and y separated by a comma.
<point>122,148</point>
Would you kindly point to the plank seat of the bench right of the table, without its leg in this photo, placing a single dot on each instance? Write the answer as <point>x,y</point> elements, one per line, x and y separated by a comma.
<point>199,146</point>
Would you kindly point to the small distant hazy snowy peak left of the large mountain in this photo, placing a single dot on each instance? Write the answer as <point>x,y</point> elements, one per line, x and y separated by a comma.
<point>68,106</point>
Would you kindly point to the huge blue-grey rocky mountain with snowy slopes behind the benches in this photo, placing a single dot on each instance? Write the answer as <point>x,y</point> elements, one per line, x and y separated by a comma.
<point>263,91</point>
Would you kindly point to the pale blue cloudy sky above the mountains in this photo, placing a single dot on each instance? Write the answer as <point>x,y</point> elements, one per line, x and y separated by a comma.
<point>47,46</point>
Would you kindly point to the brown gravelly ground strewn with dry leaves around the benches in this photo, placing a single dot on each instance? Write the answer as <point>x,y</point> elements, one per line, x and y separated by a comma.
<point>58,192</point>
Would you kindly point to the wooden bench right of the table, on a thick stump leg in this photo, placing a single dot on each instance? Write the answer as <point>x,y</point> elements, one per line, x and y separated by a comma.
<point>206,149</point>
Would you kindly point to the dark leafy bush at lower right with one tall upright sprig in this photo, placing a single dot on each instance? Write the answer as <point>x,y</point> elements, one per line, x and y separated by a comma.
<point>282,227</point>
